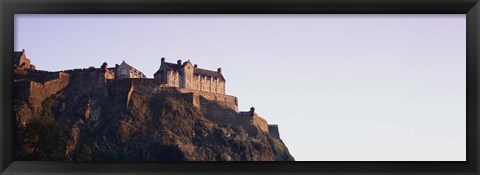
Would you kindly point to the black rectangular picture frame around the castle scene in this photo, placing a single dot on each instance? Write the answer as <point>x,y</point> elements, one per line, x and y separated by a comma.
<point>469,7</point>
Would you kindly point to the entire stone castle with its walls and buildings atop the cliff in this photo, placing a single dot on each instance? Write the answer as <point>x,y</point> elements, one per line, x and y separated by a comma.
<point>199,86</point>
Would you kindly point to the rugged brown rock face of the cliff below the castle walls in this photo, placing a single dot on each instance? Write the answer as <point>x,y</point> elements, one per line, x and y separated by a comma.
<point>114,123</point>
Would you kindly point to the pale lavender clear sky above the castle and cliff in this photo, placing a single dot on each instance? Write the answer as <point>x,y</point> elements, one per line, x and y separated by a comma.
<point>340,87</point>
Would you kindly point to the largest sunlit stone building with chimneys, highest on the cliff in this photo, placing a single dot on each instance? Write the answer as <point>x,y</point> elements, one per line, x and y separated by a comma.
<point>186,75</point>
